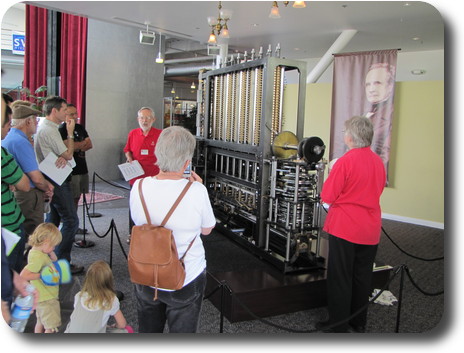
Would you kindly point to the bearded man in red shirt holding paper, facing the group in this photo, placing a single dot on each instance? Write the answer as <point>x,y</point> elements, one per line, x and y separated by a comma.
<point>140,146</point>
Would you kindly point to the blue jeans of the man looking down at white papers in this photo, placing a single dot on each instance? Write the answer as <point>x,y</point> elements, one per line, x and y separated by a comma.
<point>62,209</point>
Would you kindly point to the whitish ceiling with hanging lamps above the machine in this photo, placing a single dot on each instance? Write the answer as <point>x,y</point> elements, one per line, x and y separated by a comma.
<point>302,33</point>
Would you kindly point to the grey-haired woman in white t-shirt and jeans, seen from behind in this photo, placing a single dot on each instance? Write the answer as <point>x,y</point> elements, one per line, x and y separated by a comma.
<point>192,217</point>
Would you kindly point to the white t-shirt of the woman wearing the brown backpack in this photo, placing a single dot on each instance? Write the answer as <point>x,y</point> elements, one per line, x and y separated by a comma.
<point>193,213</point>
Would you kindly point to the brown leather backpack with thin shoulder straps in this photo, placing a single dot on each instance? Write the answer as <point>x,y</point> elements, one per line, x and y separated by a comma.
<point>153,258</point>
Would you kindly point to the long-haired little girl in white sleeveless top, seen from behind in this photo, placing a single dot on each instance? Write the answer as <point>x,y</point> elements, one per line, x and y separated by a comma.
<point>96,302</point>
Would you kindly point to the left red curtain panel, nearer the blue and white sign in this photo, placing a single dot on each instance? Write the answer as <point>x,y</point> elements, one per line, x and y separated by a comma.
<point>35,59</point>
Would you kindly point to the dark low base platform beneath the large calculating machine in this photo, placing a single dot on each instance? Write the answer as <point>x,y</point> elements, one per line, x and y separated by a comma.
<point>269,293</point>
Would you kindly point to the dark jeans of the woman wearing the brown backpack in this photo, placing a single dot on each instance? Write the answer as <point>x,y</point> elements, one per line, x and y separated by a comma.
<point>181,308</point>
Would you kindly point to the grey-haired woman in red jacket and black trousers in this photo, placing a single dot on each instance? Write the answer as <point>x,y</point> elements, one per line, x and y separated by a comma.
<point>353,190</point>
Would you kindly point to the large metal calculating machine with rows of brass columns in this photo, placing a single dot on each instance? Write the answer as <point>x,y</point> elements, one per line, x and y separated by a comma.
<point>264,183</point>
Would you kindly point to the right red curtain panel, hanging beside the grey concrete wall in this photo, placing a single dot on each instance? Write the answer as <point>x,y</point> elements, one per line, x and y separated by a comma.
<point>73,61</point>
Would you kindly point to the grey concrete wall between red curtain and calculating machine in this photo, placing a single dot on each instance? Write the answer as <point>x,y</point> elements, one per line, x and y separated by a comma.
<point>122,76</point>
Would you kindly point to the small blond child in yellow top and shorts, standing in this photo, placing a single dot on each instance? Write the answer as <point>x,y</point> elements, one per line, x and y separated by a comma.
<point>43,241</point>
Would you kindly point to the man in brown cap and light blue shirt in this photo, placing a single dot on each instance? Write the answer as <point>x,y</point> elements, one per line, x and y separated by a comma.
<point>24,126</point>
